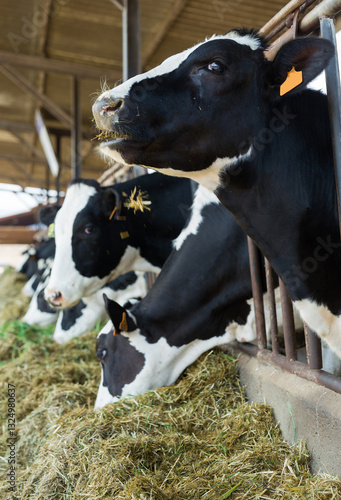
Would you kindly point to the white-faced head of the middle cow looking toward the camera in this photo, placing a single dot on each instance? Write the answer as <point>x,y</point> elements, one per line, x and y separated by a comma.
<point>84,228</point>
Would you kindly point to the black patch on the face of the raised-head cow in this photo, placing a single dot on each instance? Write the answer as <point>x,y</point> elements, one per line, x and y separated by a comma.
<point>192,108</point>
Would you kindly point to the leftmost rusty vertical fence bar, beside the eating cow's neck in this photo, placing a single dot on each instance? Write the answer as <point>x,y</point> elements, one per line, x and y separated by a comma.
<point>257,292</point>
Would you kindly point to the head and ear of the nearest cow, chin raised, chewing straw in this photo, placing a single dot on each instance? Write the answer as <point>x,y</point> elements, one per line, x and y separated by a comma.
<point>200,109</point>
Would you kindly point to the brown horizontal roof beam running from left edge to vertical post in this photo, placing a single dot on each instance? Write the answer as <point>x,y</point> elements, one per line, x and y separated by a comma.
<point>55,66</point>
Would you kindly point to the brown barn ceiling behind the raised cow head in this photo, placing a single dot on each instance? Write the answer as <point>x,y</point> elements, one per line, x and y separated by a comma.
<point>46,43</point>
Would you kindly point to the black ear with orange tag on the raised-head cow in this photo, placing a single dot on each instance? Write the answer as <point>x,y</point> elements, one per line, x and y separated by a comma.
<point>308,57</point>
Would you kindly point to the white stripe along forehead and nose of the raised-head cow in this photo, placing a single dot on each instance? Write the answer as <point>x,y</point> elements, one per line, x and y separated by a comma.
<point>174,61</point>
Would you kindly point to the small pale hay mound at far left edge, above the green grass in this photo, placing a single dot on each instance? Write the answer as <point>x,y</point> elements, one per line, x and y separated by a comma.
<point>13,304</point>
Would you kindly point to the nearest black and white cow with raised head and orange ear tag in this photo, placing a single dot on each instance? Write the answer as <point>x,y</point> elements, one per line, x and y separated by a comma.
<point>215,113</point>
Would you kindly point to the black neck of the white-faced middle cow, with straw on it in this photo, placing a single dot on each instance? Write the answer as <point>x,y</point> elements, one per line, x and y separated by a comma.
<point>152,231</point>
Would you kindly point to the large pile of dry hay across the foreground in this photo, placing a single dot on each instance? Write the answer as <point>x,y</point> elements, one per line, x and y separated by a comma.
<point>198,439</point>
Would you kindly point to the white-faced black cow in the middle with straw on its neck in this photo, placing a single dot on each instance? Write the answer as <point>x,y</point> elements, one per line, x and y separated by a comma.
<point>102,233</point>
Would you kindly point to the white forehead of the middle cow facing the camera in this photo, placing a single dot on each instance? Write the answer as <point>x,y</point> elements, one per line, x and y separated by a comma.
<point>76,199</point>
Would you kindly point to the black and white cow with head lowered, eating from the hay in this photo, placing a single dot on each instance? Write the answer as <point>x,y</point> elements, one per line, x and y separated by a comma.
<point>201,299</point>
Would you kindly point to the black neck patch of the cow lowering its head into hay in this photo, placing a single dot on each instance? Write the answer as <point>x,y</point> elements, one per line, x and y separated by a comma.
<point>202,287</point>
